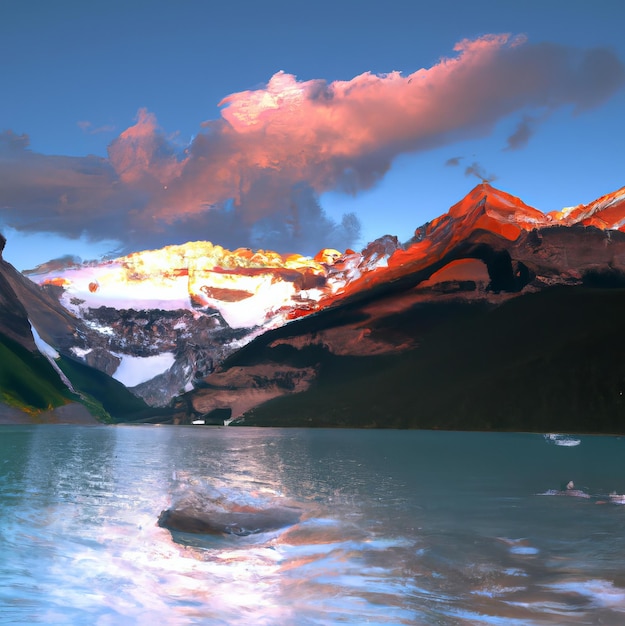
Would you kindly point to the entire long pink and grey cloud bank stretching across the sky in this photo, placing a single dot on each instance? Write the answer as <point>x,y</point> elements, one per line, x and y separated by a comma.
<point>253,176</point>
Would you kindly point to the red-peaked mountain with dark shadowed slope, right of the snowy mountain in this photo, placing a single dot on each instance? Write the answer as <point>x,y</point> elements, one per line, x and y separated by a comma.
<point>495,317</point>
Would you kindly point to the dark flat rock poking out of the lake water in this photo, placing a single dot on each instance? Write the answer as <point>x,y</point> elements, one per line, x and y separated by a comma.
<point>238,522</point>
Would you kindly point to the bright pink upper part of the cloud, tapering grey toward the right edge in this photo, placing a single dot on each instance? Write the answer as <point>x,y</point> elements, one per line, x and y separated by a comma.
<point>345,134</point>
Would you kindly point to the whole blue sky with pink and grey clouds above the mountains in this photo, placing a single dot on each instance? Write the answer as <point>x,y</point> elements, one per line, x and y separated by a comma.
<point>293,126</point>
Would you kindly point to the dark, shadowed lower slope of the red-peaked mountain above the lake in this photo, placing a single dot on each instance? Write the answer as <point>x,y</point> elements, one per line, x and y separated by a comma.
<point>543,362</point>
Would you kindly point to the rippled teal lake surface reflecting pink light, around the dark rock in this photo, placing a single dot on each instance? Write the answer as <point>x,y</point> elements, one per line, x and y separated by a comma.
<point>396,527</point>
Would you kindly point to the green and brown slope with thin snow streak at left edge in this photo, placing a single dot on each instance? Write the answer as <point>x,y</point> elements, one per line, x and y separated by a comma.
<point>40,379</point>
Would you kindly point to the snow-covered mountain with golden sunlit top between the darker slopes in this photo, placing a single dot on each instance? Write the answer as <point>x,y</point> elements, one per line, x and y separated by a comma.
<point>168,316</point>
